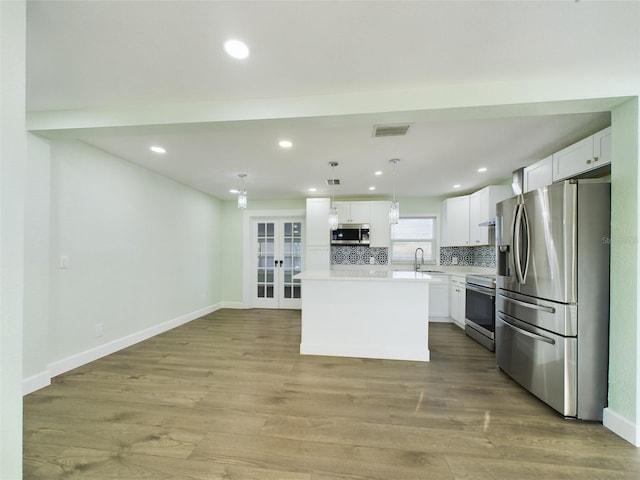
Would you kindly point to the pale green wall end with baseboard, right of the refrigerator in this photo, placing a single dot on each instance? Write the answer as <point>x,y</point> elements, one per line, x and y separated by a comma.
<point>623,413</point>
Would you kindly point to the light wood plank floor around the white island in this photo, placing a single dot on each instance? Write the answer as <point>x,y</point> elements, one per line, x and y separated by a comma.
<point>229,397</point>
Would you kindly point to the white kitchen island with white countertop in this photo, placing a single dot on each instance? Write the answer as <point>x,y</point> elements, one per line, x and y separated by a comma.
<point>366,314</point>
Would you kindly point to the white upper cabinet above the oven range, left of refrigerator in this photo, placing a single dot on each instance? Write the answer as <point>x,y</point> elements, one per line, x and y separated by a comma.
<point>482,209</point>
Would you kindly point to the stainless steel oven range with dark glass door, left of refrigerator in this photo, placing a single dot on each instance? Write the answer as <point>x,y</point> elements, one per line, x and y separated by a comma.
<point>480,309</point>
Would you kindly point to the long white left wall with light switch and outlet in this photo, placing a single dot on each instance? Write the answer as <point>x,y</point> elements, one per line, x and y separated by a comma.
<point>143,254</point>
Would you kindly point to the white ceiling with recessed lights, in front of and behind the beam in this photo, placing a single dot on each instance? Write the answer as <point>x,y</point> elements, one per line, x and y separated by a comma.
<point>119,57</point>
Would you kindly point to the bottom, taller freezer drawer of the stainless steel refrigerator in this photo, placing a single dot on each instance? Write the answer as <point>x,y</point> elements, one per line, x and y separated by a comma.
<point>542,362</point>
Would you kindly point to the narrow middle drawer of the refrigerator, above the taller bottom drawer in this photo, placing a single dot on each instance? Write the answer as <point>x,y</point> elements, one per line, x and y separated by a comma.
<point>554,317</point>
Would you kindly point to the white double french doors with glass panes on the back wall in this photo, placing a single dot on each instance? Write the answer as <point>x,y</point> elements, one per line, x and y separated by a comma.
<point>277,257</point>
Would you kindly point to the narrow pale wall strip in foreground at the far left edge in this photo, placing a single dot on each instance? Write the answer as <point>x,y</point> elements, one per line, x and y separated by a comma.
<point>12,165</point>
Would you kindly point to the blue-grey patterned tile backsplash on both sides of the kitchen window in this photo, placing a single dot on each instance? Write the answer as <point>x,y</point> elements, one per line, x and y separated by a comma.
<point>467,256</point>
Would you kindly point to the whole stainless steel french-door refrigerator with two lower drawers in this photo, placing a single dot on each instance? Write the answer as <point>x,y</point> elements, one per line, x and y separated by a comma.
<point>552,302</point>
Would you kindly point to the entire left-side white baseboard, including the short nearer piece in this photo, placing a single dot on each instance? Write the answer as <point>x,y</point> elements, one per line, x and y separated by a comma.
<point>36,382</point>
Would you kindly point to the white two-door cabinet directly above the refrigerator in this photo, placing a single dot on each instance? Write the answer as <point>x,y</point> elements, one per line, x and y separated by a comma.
<point>588,154</point>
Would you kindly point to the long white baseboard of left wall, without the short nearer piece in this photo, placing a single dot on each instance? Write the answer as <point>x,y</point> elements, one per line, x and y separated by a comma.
<point>82,358</point>
